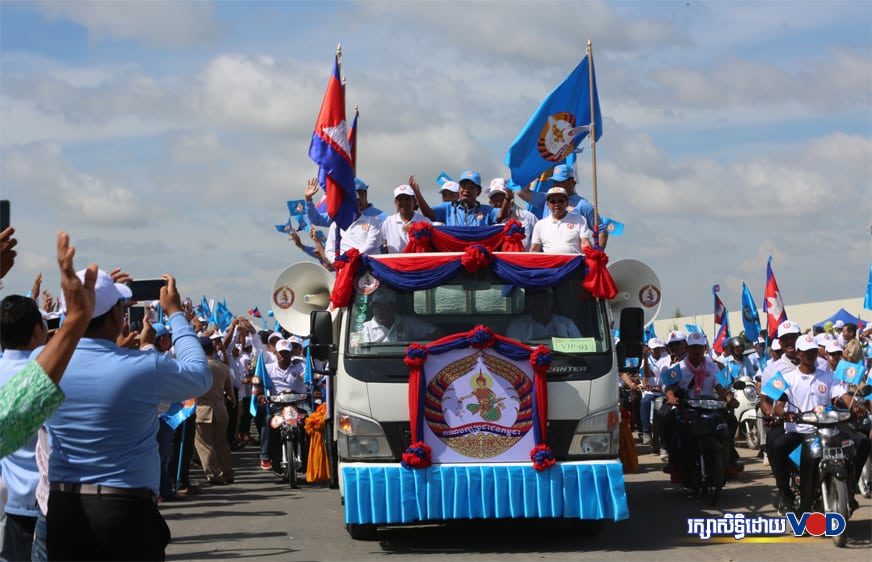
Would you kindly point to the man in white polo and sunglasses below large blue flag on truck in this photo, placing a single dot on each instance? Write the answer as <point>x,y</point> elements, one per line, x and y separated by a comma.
<point>560,232</point>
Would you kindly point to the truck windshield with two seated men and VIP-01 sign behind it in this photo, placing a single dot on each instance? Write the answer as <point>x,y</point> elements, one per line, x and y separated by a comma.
<point>566,318</point>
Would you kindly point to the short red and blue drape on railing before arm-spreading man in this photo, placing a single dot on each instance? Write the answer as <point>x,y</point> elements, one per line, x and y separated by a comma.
<point>424,237</point>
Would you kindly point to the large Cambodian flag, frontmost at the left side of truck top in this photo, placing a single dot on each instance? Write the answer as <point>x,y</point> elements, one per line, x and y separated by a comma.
<point>331,150</point>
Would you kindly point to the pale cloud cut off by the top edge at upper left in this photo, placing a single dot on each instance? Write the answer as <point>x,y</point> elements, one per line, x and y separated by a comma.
<point>161,23</point>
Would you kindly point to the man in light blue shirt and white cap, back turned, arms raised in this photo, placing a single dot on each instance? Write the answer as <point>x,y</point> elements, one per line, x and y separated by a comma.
<point>104,469</point>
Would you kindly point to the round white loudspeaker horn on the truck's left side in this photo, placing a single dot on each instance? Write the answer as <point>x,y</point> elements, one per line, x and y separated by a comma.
<point>299,290</point>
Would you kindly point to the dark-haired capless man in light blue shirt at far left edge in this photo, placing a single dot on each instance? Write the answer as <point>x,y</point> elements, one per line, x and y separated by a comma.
<point>21,331</point>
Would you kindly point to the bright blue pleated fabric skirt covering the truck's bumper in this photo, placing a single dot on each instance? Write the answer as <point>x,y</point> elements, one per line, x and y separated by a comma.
<point>388,493</point>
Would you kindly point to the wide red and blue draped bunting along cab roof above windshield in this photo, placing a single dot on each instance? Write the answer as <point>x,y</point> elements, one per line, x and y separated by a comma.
<point>525,270</point>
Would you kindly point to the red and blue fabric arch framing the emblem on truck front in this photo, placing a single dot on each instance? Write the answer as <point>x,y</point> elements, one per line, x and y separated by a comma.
<point>480,337</point>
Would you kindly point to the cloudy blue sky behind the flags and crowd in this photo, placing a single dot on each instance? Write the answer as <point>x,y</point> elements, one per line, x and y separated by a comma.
<point>167,136</point>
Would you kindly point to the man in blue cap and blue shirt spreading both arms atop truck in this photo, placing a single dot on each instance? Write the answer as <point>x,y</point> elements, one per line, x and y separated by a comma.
<point>466,211</point>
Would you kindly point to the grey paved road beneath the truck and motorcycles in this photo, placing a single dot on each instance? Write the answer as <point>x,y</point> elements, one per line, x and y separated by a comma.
<point>259,518</point>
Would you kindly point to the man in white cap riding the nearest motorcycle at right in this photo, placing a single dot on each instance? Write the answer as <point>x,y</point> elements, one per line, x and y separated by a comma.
<point>807,387</point>
